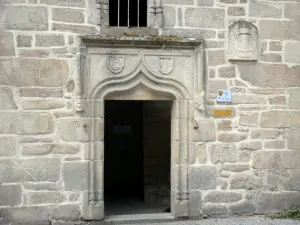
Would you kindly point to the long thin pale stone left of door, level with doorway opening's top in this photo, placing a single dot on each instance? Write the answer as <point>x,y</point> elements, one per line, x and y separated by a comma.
<point>40,104</point>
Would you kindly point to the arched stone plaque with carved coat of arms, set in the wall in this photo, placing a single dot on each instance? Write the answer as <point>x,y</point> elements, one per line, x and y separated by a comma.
<point>243,41</point>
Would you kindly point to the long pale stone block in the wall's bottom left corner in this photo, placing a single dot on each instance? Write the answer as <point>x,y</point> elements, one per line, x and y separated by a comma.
<point>26,215</point>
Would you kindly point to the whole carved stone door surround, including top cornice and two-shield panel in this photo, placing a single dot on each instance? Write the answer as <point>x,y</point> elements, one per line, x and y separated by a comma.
<point>143,78</point>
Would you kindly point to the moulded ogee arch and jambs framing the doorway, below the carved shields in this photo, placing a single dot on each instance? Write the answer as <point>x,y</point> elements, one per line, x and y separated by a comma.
<point>124,88</point>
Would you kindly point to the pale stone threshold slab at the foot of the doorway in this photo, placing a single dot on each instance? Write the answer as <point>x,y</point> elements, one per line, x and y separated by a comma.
<point>141,218</point>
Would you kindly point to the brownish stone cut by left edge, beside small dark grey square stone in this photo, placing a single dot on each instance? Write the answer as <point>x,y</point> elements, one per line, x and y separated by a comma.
<point>7,47</point>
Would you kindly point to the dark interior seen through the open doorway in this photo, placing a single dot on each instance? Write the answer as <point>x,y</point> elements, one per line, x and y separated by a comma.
<point>137,156</point>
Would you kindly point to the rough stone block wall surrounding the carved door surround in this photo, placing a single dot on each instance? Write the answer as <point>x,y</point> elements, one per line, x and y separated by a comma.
<point>247,163</point>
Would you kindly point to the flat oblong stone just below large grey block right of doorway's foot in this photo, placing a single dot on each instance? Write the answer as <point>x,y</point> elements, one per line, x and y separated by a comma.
<point>222,197</point>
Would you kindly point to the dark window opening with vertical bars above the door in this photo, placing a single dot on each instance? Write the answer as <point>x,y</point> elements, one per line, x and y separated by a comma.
<point>128,13</point>
